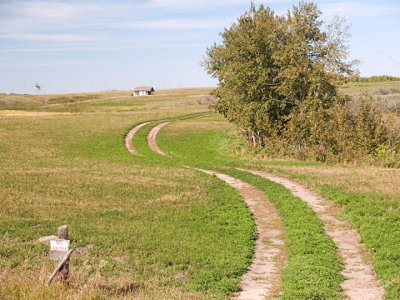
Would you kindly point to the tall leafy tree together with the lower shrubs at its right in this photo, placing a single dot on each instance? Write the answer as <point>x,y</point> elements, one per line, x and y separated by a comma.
<point>278,82</point>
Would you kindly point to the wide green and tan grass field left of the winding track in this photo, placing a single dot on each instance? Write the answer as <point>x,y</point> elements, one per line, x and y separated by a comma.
<point>184,234</point>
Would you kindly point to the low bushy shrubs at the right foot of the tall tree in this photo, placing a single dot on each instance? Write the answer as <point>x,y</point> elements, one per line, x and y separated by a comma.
<point>340,133</point>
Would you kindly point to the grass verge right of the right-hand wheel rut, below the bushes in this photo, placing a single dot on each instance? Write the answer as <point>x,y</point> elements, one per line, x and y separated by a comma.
<point>374,210</point>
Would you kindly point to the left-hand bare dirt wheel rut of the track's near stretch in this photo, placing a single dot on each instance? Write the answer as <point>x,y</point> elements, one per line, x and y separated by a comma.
<point>263,276</point>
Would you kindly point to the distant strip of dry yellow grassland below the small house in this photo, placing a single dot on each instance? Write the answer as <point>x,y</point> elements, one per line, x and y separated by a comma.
<point>108,101</point>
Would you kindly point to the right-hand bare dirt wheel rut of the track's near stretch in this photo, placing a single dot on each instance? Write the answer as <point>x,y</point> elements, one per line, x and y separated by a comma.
<point>360,279</point>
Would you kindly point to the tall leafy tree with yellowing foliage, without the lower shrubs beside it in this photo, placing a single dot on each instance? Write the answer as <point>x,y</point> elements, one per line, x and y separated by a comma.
<point>267,65</point>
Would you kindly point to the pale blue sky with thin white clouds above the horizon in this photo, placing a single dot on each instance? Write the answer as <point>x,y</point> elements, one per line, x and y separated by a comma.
<point>83,46</point>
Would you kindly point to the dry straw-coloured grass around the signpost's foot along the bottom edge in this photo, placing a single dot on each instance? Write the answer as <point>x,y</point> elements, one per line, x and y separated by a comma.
<point>86,285</point>
